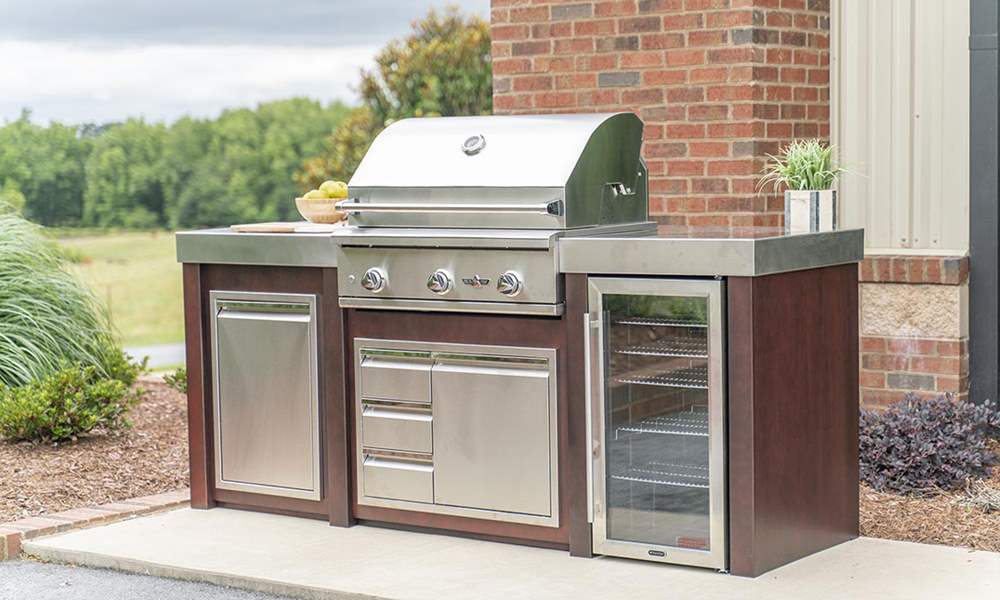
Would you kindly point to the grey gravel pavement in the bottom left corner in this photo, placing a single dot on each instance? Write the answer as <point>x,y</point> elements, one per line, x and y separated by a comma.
<point>26,579</point>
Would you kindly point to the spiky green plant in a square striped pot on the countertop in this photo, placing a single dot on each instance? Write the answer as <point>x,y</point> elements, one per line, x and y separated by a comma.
<point>807,170</point>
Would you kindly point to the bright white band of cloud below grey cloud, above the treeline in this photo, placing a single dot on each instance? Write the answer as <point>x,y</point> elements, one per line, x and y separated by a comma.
<point>74,83</point>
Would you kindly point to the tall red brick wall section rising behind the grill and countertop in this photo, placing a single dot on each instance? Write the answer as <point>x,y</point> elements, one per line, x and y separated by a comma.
<point>718,83</point>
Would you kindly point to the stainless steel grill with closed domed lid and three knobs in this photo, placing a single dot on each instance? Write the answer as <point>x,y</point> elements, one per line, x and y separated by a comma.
<point>464,213</point>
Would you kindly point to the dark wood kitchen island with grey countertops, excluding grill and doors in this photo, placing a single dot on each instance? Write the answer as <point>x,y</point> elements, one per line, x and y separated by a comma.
<point>789,476</point>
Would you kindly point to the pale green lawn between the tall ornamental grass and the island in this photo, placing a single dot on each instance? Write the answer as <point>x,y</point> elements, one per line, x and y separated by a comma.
<point>138,278</point>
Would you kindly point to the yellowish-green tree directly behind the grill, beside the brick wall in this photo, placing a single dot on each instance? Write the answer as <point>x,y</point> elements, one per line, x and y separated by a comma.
<point>442,68</point>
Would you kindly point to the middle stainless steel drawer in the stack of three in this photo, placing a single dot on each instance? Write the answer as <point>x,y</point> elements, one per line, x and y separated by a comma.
<point>396,426</point>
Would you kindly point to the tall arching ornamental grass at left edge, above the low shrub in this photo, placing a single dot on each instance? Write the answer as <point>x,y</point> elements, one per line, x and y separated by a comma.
<point>48,318</point>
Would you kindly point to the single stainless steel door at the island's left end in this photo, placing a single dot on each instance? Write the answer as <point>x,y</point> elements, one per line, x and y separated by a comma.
<point>264,368</point>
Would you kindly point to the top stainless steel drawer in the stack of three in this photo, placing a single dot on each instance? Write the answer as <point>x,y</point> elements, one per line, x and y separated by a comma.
<point>396,375</point>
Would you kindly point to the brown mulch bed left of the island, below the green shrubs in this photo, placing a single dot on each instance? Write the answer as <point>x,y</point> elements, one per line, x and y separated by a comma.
<point>149,458</point>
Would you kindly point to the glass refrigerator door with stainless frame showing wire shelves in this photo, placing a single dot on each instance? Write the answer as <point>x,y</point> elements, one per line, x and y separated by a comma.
<point>658,428</point>
